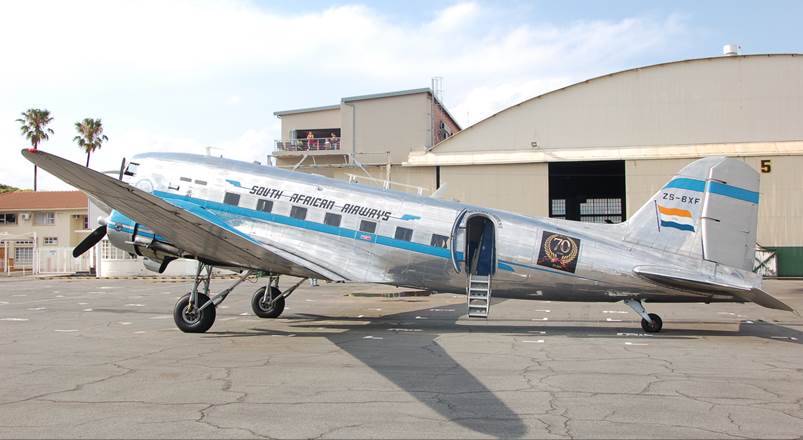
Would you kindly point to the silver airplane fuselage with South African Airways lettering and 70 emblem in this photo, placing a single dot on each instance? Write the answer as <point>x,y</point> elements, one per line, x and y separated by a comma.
<point>366,234</point>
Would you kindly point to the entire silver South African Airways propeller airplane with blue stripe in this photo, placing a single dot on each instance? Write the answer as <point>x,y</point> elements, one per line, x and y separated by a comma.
<point>692,242</point>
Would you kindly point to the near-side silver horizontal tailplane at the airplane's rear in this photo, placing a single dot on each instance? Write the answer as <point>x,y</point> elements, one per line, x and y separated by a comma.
<point>695,282</point>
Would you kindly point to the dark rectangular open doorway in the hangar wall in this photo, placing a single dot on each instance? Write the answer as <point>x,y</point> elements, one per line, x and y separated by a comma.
<point>587,191</point>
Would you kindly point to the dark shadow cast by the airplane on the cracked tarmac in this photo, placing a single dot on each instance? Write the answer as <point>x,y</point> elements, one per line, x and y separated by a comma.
<point>418,365</point>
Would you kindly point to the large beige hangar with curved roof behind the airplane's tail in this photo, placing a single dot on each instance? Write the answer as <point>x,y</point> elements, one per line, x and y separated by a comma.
<point>599,149</point>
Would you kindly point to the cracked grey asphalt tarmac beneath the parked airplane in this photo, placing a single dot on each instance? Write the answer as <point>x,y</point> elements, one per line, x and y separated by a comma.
<point>103,359</point>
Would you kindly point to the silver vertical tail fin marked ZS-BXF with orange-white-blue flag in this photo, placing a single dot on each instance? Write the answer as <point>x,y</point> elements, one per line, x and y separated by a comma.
<point>708,210</point>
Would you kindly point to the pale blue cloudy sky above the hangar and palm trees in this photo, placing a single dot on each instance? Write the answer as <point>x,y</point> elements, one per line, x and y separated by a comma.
<point>183,75</point>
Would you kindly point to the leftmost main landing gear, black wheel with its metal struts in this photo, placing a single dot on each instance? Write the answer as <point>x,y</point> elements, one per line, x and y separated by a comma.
<point>195,311</point>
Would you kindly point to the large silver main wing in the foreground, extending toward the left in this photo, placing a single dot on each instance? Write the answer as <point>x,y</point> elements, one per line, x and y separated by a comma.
<point>190,228</point>
